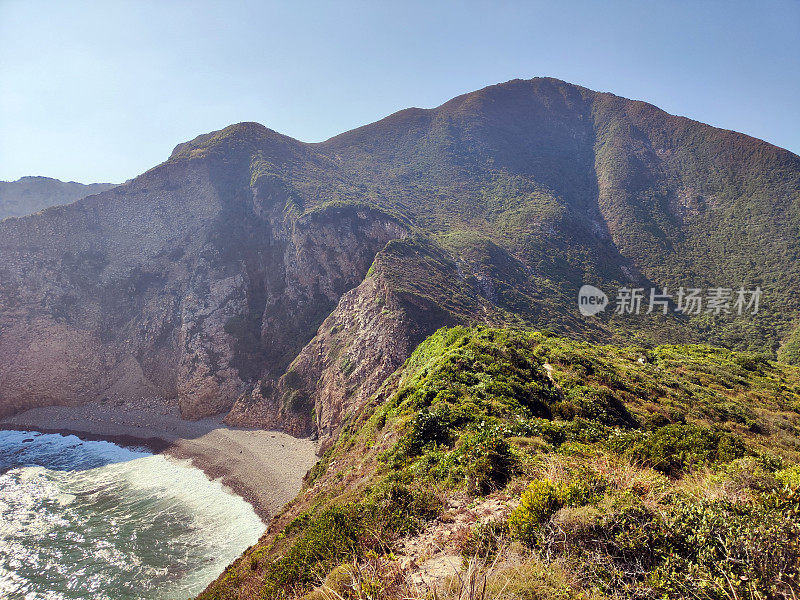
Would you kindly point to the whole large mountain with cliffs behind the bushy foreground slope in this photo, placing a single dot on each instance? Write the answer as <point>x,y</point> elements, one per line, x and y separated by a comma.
<point>281,282</point>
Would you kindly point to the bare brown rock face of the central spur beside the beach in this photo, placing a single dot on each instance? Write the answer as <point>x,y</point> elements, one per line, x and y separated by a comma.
<point>366,338</point>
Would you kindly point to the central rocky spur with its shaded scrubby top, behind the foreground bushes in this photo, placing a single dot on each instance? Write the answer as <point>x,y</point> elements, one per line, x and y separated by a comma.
<point>412,289</point>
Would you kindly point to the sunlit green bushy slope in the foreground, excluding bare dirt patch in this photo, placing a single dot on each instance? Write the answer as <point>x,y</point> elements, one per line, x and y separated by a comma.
<point>620,473</point>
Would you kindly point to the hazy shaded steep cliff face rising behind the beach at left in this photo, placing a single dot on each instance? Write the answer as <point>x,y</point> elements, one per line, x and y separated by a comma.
<point>173,286</point>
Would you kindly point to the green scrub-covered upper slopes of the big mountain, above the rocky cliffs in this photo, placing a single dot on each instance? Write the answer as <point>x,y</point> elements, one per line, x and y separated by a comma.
<point>533,188</point>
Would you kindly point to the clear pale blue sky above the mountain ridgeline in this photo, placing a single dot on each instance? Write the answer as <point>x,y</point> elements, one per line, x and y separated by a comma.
<point>103,90</point>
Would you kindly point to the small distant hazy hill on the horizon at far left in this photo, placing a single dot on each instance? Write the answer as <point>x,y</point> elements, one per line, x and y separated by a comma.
<point>29,195</point>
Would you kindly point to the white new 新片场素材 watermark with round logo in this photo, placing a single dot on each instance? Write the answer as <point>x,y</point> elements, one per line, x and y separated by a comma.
<point>685,300</point>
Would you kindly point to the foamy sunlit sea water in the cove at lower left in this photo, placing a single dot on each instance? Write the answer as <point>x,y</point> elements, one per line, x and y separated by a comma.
<point>93,520</point>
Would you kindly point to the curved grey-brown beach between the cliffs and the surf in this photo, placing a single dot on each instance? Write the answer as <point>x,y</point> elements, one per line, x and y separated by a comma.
<point>266,468</point>
